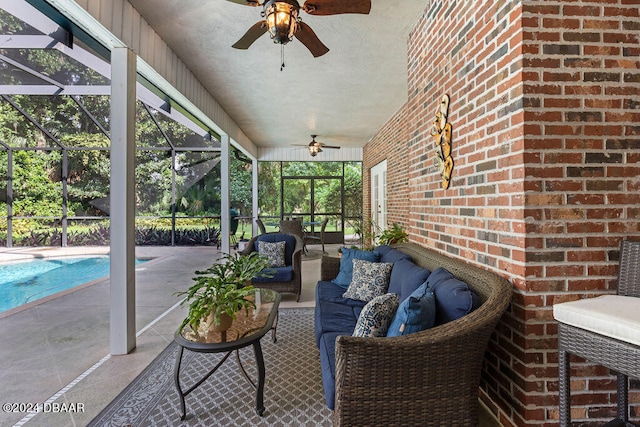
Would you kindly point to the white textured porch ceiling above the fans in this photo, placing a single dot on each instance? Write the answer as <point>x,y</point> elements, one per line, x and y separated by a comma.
<point>344,96</point>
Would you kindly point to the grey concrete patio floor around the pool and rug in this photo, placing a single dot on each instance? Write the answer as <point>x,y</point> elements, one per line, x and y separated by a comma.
<point>57,350</point>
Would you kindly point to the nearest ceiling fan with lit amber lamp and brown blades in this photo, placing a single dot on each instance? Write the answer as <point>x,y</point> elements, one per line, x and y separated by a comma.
<point>283,22</point>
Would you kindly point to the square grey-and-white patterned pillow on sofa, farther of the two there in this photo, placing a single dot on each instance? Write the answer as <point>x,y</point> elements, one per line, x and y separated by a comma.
<point>370,279</point>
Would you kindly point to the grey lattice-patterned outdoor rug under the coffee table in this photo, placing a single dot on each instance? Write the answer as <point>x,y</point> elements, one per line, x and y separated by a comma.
<point>293,393</point>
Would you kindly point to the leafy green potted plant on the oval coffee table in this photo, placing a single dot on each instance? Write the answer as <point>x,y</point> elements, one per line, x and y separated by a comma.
<point>220,291</point>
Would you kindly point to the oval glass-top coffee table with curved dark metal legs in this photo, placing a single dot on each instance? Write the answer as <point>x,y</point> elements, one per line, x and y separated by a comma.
<point>246,330</point>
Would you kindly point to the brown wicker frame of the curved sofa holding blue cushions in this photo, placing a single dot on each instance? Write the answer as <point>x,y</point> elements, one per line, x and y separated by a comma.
<point>427,378</point>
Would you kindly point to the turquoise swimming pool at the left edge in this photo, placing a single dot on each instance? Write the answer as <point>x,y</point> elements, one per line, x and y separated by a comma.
<point>25,282</point>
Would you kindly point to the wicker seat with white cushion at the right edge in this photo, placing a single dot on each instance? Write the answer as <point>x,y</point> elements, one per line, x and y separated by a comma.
<point>616,353</point>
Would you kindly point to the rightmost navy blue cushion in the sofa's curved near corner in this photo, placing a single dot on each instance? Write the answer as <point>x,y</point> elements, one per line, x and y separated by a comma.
<point>454,298</point>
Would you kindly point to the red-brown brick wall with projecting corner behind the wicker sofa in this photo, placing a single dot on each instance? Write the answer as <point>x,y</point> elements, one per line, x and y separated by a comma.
<point>545,109</point>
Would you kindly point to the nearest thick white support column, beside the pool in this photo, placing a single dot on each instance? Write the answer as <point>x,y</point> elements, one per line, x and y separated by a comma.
<point>122,336</point>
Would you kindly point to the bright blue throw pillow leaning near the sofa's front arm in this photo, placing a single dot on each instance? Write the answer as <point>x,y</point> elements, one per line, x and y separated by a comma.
<point>416,313</point>
